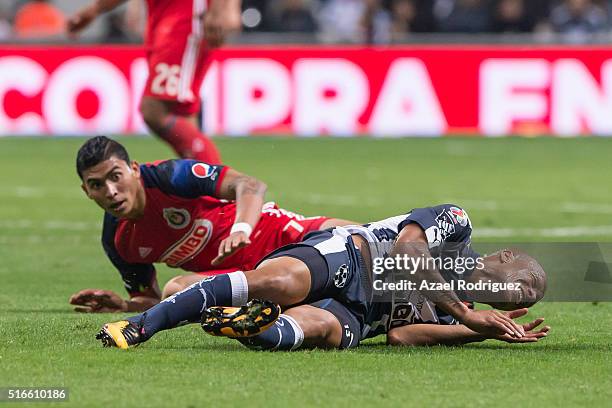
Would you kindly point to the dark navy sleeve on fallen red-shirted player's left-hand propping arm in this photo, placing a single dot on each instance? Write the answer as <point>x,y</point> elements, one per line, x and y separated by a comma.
<point>137,278</point>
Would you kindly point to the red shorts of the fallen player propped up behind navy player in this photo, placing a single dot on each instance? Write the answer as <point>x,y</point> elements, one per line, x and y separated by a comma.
<point>276,228</point>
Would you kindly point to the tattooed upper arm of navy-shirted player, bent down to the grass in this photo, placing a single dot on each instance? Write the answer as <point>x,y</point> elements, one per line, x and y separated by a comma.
<point>413,243</point>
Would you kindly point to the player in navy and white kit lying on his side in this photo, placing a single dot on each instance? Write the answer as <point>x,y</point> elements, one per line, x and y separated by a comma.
<point>326,282</point>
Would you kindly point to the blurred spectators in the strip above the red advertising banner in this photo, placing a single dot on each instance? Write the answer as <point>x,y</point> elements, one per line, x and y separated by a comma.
<point>350,21</point>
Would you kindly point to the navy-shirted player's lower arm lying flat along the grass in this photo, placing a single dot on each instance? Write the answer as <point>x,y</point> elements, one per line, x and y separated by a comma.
<point>452,335</point>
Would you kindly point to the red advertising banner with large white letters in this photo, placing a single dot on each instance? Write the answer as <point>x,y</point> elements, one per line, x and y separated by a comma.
<point>308,91</point>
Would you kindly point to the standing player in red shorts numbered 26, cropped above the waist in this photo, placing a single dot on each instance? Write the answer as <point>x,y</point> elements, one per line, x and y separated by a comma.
<point>178,39</point>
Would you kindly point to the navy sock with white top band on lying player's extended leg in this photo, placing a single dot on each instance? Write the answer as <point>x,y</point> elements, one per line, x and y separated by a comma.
<point>187,306</point>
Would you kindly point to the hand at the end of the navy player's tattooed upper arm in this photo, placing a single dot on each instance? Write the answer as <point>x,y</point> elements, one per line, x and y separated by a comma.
<point>493,323</point>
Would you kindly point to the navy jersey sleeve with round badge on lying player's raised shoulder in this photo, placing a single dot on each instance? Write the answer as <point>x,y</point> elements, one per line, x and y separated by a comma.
<point>447,223</point>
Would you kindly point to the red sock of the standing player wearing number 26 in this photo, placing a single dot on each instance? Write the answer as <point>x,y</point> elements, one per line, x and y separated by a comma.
<point>188,141</point>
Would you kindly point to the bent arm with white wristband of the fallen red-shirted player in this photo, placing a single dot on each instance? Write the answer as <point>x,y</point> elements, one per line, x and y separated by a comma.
<point>249,194</point>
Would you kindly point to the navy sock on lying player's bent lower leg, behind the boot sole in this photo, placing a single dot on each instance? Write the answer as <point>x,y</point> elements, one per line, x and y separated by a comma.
<point>285,334</point>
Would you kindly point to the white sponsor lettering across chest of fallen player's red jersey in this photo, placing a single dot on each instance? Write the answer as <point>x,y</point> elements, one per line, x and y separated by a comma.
<point>190,245</point>
